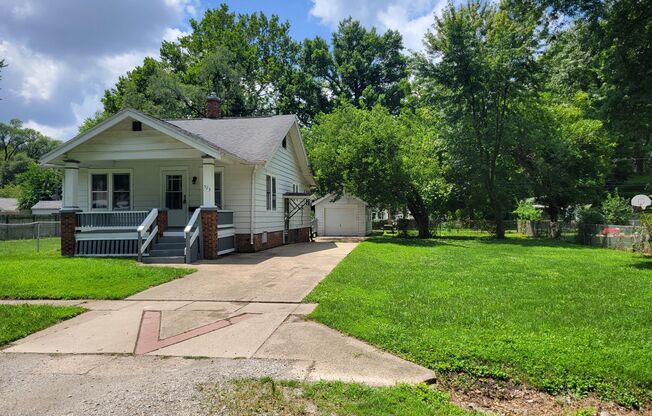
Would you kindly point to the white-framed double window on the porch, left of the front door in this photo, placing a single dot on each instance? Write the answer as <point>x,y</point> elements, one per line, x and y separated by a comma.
<point>111,191</point>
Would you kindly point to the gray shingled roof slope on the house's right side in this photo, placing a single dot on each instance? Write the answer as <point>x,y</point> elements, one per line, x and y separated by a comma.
<point>252,139</point>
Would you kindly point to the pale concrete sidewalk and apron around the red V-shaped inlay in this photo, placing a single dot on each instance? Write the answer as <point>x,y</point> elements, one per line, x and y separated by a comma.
<point>275,331</point>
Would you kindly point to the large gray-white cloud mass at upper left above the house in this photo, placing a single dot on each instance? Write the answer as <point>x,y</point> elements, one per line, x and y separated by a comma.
<point>62,55</point>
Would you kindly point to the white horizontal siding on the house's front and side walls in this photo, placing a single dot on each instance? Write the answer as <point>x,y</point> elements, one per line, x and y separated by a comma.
<point>145,153</point>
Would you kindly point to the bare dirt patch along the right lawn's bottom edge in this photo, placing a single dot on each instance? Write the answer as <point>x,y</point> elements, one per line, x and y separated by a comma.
<point>507,398</point>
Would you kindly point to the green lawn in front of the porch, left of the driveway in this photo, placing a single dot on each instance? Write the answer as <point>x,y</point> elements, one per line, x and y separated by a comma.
<point>26,274</point>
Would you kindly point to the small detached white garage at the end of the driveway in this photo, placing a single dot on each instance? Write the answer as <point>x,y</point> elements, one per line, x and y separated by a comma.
<point>348,216</point>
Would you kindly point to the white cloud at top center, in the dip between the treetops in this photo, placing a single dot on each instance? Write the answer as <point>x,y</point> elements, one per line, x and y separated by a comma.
<point>412,18</point>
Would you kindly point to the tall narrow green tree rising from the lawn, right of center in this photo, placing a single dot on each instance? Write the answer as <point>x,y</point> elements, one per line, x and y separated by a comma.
<point>479,66</point>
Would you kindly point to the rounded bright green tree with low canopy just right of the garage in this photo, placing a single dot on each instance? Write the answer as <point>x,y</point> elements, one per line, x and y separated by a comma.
<point>384,159</point>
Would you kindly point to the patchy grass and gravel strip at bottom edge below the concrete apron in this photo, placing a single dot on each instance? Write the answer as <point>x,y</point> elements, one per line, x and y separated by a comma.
<point>265,396</point>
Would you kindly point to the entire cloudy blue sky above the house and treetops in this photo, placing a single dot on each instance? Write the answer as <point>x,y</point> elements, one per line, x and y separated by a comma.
<point>63,54</point>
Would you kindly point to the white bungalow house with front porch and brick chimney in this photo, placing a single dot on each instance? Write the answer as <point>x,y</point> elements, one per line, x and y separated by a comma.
<point>176,190</point>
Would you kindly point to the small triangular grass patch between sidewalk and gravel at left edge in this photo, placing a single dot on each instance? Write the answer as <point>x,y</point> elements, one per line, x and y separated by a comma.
<point>18,321</point>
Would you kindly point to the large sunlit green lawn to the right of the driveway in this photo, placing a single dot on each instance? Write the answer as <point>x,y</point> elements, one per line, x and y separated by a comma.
<point>557,316</point>
